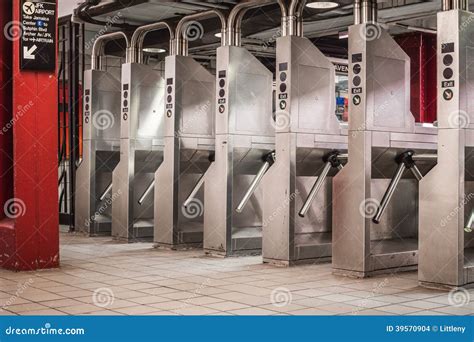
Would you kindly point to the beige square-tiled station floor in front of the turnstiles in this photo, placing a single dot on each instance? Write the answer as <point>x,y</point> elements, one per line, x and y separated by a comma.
<point>102,277</point>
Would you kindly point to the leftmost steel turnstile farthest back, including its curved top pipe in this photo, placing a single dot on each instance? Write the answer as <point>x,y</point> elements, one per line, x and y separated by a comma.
<point>101,145</point>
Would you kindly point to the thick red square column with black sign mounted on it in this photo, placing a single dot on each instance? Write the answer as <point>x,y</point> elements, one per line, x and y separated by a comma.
<point>29,226</point>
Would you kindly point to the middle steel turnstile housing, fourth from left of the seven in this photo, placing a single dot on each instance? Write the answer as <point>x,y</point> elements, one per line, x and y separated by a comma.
<point>244,138</point>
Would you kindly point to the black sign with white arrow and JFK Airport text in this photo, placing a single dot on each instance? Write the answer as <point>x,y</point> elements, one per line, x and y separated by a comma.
<point>38,39</point>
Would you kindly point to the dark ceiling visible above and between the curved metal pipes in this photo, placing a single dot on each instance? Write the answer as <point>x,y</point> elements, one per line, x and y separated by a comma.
<point>261,25</point>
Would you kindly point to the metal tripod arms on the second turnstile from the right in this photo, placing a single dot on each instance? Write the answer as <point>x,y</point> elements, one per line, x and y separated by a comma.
<point>405,161</point>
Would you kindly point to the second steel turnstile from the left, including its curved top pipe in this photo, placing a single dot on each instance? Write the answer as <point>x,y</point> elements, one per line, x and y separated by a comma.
<point>141,151</point>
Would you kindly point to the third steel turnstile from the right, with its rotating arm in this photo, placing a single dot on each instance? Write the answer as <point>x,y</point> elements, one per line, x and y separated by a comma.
<point>310,148</point>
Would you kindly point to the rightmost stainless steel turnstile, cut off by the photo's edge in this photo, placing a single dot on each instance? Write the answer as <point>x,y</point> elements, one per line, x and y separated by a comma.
<point>447,192</point>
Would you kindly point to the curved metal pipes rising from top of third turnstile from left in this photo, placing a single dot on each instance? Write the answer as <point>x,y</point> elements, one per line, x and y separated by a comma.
<point>186,24</point>
